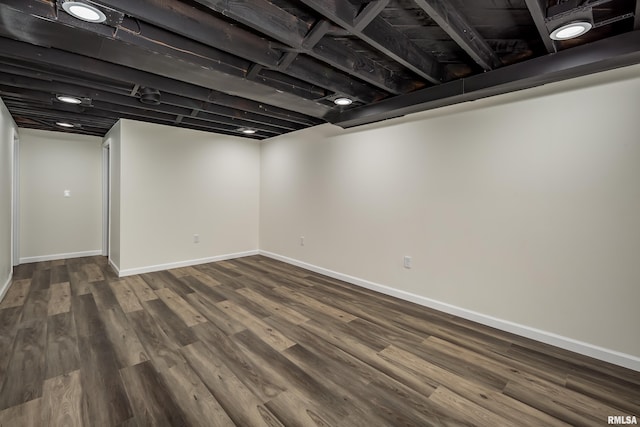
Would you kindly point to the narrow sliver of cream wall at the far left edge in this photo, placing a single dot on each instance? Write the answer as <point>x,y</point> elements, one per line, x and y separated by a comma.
<point>7,132</point>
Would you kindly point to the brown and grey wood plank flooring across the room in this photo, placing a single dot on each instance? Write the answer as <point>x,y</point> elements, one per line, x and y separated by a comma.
<point>256,342</point>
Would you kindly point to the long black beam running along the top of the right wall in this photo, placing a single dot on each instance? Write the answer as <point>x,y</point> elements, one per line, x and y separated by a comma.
<point>613,52</point>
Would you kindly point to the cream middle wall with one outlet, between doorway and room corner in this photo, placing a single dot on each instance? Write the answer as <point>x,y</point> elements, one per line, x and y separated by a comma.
<point>175,183</point>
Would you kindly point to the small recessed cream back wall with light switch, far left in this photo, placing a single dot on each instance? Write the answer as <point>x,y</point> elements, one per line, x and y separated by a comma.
<point>53,226</point>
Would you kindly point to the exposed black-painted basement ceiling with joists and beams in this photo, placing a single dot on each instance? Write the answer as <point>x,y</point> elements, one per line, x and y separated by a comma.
<point>277,66</point>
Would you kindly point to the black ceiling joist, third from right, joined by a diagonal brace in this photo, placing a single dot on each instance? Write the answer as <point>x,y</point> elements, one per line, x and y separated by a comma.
<point>382,36</point>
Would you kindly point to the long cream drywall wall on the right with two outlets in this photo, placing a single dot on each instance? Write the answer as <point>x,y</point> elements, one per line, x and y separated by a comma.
<point>523,208</point>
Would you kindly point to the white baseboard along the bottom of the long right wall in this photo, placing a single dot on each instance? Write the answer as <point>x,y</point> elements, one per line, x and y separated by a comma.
<point>600,353</point>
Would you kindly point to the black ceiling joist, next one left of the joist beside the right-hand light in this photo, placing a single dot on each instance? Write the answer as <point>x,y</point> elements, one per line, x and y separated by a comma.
<point>456,25</point>
